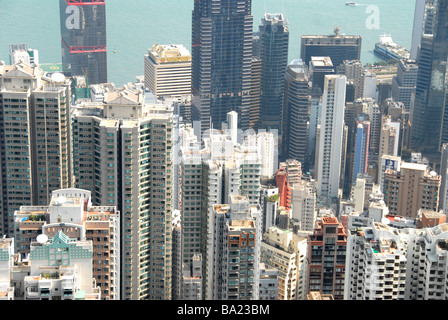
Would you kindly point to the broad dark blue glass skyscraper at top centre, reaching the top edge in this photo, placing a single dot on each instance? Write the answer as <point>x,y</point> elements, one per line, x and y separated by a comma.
<point>221,61</point>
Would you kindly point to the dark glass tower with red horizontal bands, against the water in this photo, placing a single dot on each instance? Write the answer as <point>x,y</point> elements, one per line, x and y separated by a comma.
<point>83,43</point>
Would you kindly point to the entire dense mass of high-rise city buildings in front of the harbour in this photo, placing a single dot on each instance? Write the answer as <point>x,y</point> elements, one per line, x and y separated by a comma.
<point>225,173</point>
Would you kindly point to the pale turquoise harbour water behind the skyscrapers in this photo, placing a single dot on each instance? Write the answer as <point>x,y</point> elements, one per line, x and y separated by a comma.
<point>133,26</point>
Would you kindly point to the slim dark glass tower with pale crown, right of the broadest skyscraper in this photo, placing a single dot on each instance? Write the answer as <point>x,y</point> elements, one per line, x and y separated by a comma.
<point>274,41</point>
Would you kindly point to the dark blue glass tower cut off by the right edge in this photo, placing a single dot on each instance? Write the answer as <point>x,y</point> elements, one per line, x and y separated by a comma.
<point>430,118</point>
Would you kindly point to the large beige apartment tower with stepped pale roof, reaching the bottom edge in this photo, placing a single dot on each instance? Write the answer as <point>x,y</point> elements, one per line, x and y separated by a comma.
<point>123,151</point>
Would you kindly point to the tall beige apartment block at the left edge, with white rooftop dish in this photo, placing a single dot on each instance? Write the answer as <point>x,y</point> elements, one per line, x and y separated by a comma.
<point>35,135</point>
